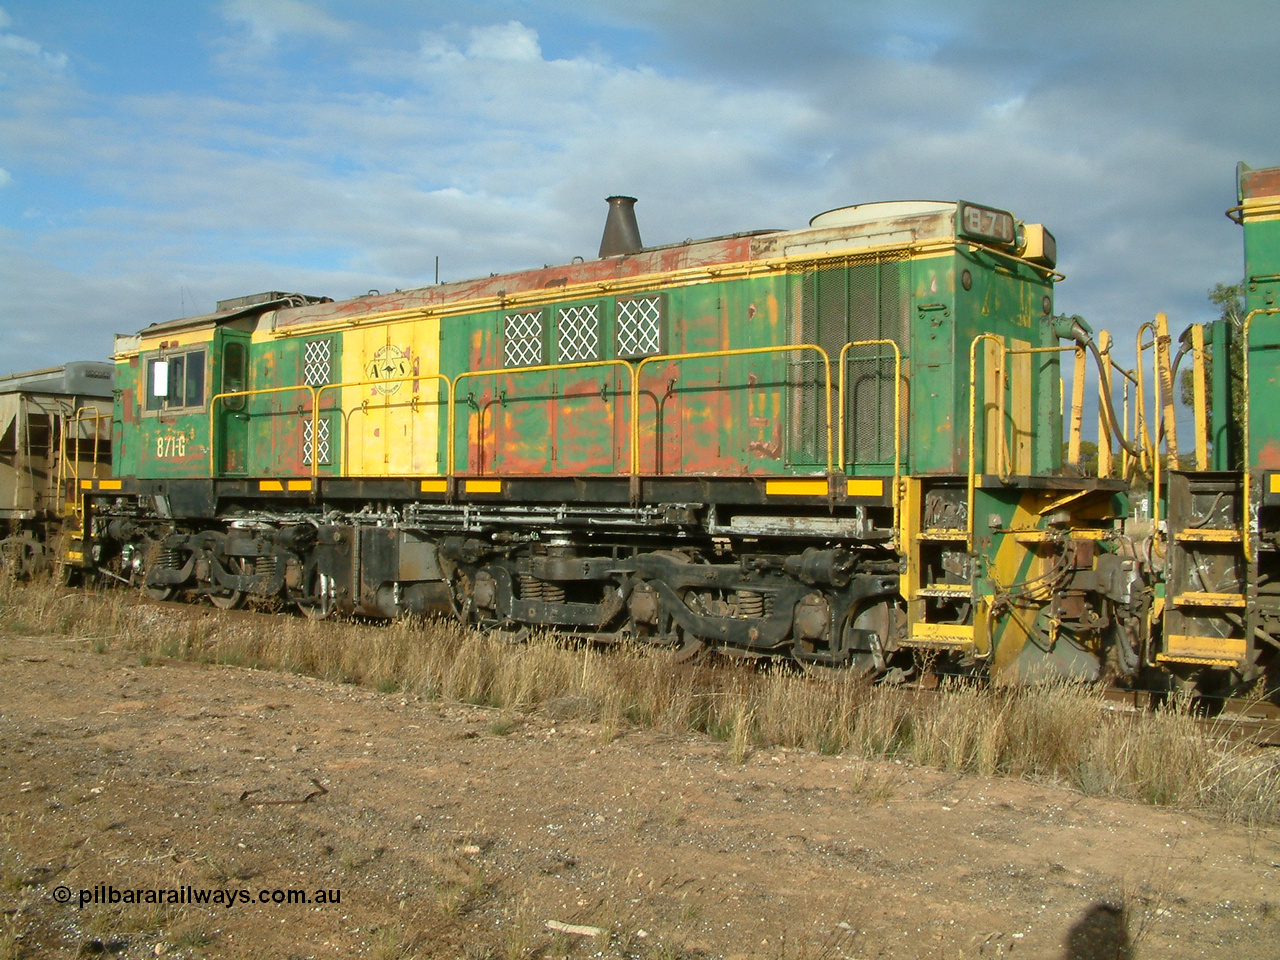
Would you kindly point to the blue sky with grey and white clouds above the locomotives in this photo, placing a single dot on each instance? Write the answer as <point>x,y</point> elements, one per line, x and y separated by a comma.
<point>159,157</point>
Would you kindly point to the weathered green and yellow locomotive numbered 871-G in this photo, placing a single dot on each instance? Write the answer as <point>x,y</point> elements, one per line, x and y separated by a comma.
<point>840,444</point>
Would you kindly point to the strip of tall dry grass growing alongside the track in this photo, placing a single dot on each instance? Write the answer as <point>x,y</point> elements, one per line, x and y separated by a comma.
<point>1059,734</point>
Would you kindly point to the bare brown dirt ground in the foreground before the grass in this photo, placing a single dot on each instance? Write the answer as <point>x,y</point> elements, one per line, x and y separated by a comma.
<point>455,831</point>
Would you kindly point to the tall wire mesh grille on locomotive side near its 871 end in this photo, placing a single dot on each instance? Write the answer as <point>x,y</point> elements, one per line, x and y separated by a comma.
<point>858,299</point>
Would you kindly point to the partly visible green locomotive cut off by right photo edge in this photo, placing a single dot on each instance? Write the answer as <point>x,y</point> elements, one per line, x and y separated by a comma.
<point>1222,607</point>
